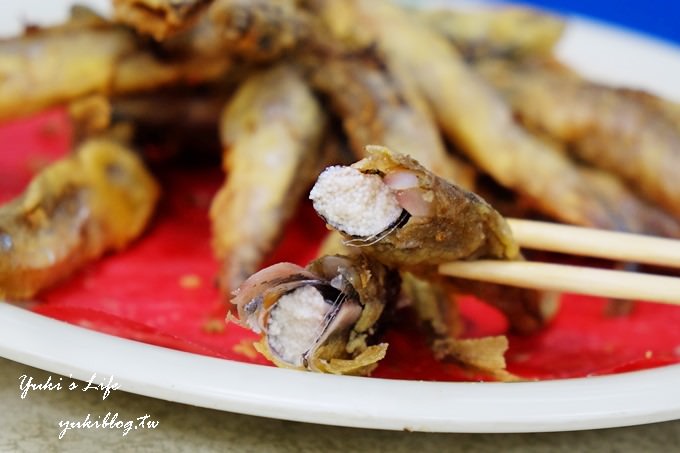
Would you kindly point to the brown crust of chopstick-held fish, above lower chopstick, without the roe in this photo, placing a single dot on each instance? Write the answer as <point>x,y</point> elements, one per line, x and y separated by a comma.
<point>461,225</point>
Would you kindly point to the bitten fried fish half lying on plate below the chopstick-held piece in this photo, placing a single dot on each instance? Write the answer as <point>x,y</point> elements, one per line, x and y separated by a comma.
<point>319,318</point>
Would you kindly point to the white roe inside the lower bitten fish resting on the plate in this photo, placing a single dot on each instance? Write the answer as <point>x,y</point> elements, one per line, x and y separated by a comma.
<point>296,322</point>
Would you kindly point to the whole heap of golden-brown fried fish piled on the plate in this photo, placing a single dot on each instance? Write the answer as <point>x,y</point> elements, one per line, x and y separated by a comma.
<point>465,102</point>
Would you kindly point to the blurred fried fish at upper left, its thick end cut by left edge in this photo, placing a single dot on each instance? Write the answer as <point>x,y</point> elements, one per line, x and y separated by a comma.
<point>55,66</point>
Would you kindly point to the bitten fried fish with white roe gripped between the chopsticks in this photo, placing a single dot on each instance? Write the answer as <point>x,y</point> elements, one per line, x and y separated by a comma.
<point>389,207</point>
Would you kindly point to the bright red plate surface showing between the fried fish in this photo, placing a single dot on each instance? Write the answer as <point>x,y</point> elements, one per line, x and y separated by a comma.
<point>161,289</point>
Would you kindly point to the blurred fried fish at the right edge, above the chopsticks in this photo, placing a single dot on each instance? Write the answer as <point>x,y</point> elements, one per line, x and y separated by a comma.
<point>630,136</point>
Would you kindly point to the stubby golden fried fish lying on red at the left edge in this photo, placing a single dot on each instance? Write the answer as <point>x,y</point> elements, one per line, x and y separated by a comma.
<point>95,201</point>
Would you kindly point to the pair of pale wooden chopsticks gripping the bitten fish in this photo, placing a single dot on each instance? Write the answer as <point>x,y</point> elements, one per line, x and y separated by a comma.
<point>584,280</point>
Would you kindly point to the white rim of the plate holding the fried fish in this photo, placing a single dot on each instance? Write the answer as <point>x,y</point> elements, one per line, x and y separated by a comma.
<point>619,400</point>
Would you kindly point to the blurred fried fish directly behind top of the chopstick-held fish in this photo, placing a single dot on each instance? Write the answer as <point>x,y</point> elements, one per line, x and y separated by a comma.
<point>376,108</point>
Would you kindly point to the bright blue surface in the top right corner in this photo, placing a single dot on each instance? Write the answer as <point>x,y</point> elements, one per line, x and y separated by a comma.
<point>658,18</point>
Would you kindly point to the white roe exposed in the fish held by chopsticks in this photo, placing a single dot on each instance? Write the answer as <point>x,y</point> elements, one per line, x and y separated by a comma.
<point>353,202</point>
